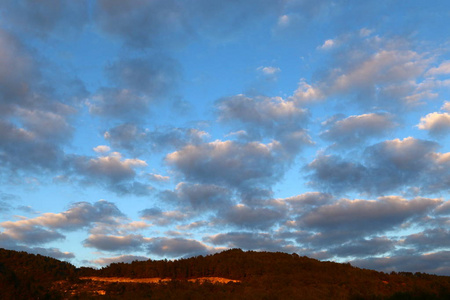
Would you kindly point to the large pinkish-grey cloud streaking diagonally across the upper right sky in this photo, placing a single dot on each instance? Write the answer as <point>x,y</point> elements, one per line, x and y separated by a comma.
<point>372,72</point>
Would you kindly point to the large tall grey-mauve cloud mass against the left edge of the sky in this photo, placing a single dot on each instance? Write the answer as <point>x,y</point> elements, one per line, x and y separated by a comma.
<point>35,117</point>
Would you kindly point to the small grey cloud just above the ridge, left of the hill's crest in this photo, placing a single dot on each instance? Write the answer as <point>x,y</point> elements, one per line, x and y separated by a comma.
<point>176,247</point>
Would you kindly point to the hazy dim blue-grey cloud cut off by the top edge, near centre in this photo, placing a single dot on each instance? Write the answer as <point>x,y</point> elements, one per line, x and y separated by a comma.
<point>142,24</point>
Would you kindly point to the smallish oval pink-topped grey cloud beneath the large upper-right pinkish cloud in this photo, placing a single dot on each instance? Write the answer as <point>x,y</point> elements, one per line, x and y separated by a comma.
<point>356,129</point>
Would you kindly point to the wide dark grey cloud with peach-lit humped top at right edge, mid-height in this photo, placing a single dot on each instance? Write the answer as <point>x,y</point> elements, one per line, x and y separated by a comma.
<point>384,167</point>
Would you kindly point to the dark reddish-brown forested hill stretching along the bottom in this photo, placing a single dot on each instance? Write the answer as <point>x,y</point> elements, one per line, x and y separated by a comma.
<point>262,275</point>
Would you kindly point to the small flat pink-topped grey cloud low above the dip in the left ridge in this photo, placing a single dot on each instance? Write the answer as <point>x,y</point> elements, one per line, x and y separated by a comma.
<point>129,242</point>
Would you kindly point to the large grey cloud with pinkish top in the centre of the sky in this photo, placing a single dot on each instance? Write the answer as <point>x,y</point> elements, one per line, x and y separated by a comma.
<point>233,164</point>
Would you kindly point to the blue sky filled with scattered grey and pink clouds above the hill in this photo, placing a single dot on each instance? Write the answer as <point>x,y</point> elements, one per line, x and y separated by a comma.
<point>165,129</point>
